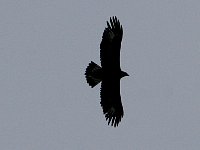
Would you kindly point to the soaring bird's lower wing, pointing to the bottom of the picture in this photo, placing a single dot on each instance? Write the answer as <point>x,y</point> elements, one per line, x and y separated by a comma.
<point>111,101</point>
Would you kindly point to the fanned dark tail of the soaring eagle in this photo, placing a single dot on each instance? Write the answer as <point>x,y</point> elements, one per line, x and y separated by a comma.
<point>93,74</point>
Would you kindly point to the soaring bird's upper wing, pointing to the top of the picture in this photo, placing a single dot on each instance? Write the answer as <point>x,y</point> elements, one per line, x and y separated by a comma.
<point>110,45</point>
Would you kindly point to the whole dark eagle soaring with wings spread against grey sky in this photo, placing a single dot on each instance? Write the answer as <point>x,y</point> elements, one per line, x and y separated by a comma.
<point>109,73</point>
